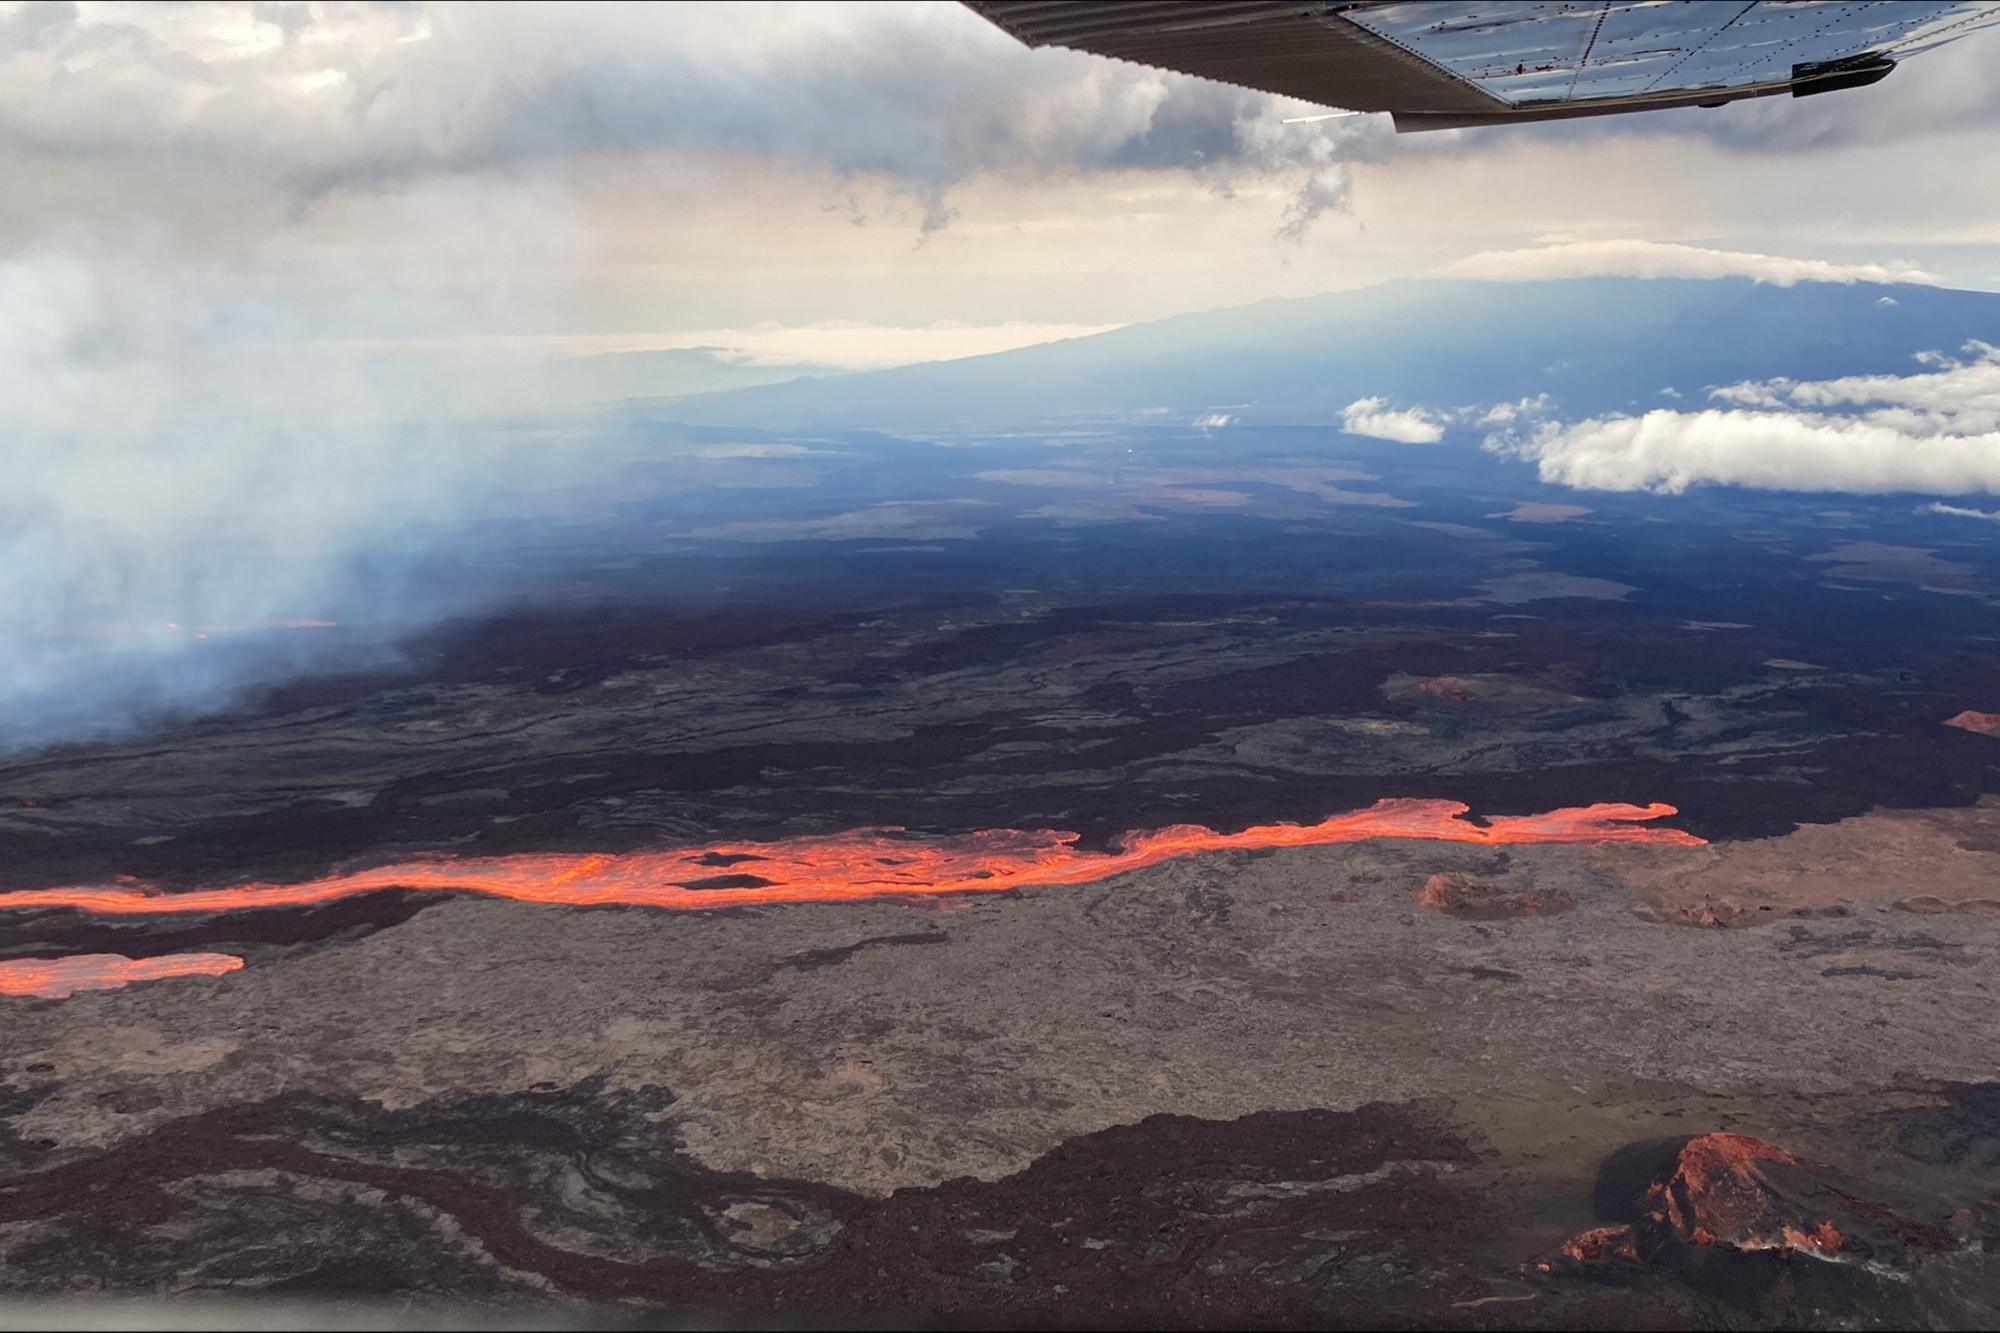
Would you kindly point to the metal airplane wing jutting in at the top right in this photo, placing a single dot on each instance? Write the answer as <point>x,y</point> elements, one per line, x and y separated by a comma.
<point>1439,65</point>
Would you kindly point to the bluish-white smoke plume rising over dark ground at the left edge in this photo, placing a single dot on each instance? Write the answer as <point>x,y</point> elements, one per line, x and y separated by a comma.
<point>187,505</point>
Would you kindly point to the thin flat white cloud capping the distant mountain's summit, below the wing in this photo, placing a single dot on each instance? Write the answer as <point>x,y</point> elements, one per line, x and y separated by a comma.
<point>1655,259</point>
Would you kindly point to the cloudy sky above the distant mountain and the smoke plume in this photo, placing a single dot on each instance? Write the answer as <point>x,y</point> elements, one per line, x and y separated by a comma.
<point>813,183</point>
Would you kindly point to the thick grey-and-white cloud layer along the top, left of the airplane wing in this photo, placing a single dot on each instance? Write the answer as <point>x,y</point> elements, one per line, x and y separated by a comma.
<point>313,99</point>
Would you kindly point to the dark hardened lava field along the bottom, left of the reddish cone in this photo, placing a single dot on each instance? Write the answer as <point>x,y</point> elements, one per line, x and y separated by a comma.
<point>1287,1220</point>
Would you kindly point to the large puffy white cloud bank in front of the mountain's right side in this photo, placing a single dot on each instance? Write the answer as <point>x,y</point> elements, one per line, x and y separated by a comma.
<point>1935,433</point>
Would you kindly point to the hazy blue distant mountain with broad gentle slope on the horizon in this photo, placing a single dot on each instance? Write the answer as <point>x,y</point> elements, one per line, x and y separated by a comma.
<point>1597,345</point>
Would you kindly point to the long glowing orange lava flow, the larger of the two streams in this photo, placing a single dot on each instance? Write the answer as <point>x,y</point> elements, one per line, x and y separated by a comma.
<point>869,864</point>
